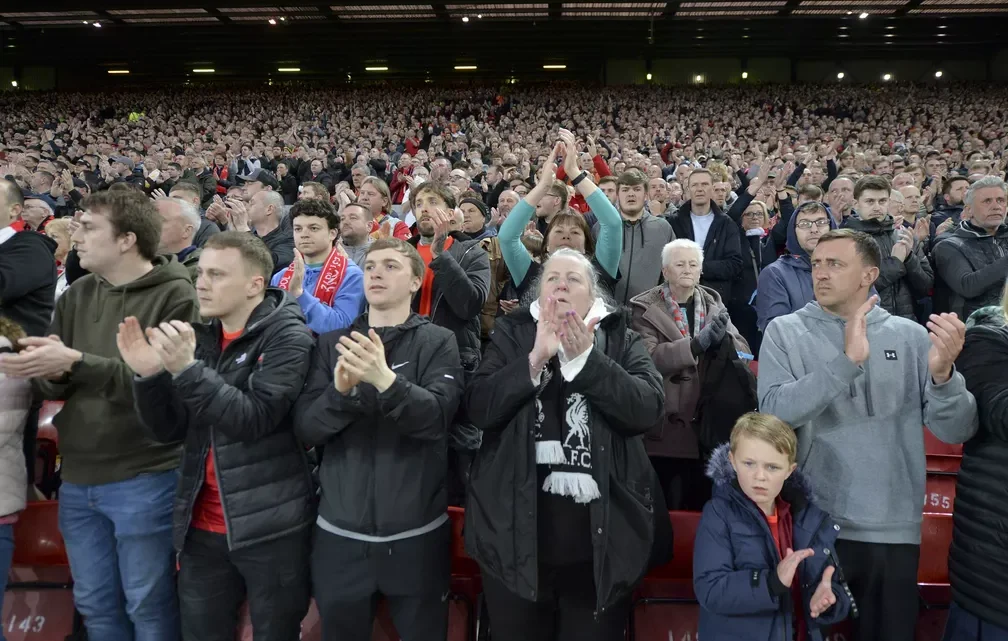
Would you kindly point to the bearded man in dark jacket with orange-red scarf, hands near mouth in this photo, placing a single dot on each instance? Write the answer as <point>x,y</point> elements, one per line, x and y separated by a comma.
<point>454,291</point>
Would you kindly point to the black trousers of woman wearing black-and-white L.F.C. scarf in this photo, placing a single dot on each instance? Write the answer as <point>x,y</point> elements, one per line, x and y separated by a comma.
<point>565,611</point>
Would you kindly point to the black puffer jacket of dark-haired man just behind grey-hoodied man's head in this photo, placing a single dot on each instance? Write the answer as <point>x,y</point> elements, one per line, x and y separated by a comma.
<point>901,283</point>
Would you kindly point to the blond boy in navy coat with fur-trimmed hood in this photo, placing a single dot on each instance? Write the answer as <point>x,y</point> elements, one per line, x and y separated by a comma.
<point>765,566</point>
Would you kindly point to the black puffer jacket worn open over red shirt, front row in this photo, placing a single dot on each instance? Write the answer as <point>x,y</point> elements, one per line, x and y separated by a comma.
<point>239,403</point>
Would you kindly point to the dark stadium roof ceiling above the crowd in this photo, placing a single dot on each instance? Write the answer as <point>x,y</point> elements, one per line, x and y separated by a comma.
<point>413,40</point>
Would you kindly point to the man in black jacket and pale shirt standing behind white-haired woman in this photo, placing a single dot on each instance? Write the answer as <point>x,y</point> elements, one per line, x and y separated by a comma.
<point>700,220</point>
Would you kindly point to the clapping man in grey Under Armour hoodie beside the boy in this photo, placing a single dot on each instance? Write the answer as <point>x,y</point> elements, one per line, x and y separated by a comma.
<point>857,384</point>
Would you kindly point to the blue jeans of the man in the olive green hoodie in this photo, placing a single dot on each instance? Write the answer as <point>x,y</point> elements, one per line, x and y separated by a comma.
<point>118,540</point>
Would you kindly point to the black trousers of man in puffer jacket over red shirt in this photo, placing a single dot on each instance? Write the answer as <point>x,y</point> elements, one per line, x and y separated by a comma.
<point>213,584</point>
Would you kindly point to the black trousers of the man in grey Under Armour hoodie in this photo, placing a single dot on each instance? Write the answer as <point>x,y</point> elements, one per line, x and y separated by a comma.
<point>884,580</point>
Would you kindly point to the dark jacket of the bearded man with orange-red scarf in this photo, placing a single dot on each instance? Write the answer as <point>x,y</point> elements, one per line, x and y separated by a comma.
<point>462,283</point>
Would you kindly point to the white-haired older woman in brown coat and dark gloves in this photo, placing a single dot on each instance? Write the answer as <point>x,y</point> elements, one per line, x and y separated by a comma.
<point>682,322</point>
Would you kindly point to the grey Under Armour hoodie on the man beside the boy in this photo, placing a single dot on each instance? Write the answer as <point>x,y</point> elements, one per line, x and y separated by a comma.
<point>860,428</point>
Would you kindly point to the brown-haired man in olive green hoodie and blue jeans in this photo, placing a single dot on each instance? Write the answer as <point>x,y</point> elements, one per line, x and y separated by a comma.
<point>118,486</point>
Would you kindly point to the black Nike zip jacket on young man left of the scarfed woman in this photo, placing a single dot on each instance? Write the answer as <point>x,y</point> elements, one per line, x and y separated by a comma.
<point>385,460</point>
